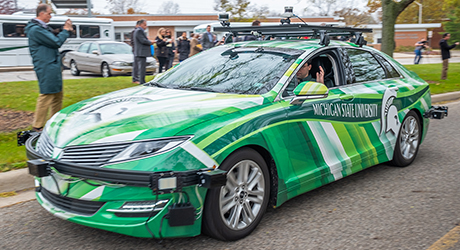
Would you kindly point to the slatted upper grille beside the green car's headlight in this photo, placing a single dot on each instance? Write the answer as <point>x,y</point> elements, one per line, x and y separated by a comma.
<point>92,155</point>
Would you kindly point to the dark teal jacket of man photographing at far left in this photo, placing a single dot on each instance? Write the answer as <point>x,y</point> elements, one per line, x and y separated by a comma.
<point>44,49</point>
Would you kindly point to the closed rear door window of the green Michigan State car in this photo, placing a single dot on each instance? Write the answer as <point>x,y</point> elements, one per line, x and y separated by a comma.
<point>365,66</point>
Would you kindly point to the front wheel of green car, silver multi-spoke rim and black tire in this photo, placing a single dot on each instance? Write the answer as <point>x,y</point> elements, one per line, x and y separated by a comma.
<point>233,211</point>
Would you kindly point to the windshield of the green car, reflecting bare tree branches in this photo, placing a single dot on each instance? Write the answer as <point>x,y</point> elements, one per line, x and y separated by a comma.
<point>231,70</point>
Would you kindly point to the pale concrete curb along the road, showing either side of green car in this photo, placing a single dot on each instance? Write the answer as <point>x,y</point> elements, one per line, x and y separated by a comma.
<point>17,180</point>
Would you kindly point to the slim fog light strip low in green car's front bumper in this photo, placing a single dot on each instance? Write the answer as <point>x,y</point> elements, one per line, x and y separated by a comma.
<point>139,208</point>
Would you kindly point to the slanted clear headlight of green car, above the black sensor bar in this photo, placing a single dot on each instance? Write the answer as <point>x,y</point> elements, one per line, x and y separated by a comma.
<point>149,148</point>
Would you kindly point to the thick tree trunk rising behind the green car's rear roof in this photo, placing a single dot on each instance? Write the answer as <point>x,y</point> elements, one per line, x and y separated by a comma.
<point>390,12</point>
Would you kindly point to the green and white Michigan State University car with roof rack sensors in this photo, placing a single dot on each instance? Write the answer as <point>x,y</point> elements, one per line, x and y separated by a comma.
<point>208,145</point>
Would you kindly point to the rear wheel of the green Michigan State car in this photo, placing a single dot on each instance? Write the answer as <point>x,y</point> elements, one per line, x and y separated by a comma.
<point>408,140</point>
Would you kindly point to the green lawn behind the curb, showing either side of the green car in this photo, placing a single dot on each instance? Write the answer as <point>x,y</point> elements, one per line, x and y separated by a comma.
<point>23,95</point>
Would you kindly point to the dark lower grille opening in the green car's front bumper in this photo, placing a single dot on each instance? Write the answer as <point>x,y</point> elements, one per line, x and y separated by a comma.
<point>82,207</point>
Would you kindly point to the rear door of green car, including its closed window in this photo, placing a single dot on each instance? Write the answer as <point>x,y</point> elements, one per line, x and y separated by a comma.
<point>377,85</point>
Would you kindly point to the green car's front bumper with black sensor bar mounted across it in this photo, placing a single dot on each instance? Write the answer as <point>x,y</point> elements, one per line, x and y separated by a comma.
<point>96,197</point>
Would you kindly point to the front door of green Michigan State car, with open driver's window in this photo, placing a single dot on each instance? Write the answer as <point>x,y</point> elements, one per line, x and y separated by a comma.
<point>324,133</point>
